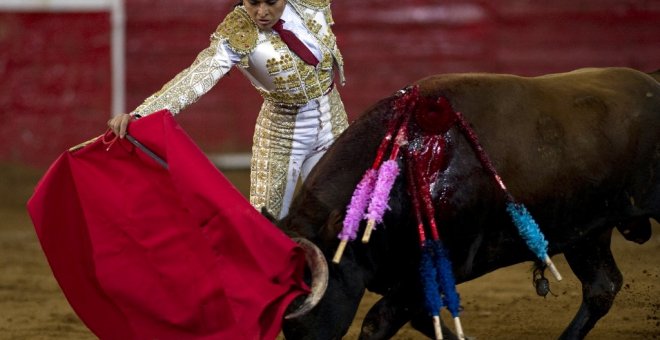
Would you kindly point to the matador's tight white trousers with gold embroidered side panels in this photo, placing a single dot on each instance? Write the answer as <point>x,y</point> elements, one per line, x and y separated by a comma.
<point>287,144</point>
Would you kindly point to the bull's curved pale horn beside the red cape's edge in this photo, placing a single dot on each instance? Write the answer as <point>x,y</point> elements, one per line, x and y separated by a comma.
<point>319,267</point>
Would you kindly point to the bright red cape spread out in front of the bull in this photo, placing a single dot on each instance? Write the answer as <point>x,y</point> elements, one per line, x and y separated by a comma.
<point>142,252</point>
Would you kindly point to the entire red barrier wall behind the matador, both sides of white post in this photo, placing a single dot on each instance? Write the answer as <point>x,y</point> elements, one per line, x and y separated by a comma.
<point>51,97</point>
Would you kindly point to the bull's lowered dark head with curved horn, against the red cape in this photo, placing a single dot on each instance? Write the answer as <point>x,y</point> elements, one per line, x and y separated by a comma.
<point>327,312</point>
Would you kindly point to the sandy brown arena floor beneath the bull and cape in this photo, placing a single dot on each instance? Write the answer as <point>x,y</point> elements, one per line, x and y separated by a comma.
<point>501,305</point>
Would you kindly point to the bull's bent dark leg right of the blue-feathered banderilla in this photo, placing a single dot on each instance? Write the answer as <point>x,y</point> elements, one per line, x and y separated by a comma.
<point>592,262</point>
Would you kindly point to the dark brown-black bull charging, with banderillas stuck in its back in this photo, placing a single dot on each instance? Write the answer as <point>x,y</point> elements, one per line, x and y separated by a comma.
<point>581,150</point>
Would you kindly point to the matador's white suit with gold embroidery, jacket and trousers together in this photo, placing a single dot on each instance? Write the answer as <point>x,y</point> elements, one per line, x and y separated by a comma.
<point>302,112</point>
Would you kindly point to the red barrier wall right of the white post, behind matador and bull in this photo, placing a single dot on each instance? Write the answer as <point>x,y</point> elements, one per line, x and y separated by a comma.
<point>388,44</point>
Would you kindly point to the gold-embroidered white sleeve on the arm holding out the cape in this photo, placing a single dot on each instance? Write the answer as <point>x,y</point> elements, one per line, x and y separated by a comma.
<point>185,88</point>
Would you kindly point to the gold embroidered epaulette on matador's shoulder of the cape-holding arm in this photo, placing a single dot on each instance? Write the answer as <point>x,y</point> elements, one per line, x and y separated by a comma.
<point>239,31</point>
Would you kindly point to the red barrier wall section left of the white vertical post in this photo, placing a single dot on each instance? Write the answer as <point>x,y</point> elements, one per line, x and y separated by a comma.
<point>54,82</point>
